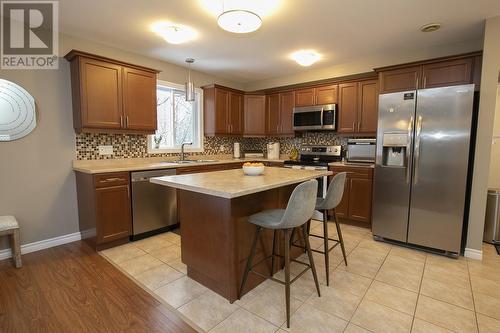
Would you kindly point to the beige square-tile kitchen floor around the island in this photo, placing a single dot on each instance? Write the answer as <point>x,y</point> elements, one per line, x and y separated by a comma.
<point>384,288</point>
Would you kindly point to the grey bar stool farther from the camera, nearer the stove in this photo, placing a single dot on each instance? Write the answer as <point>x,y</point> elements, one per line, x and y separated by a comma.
<point>330,202</point>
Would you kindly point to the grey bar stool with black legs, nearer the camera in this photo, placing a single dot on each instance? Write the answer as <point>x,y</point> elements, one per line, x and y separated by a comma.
<point>298,212</point>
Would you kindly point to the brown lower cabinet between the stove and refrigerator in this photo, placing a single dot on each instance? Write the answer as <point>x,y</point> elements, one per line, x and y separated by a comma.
<point>356,204</point>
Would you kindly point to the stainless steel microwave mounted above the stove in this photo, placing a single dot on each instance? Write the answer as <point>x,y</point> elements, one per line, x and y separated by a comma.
<point>319,117</point>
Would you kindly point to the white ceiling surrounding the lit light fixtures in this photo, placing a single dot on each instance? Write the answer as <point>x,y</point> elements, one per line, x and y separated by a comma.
<point>342,30</point>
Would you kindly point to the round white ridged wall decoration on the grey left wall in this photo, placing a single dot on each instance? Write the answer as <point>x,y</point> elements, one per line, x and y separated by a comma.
<point>17,111</point>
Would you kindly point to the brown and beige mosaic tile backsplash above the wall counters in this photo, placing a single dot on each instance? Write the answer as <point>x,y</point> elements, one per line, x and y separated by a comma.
<point>135,145</point>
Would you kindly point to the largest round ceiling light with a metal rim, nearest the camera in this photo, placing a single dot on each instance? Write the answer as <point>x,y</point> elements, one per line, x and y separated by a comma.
<point>239,21</point>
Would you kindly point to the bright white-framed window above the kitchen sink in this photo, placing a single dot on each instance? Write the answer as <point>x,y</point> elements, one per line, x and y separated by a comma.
<point>178,121</point>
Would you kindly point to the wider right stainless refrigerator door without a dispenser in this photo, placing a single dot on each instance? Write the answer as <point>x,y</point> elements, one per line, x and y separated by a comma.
<point>440,167</point>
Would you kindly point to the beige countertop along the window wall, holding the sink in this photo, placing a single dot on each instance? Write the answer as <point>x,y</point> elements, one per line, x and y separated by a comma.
<point>155,163</point>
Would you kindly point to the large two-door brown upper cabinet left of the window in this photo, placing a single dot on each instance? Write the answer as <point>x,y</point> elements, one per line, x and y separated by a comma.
<point>111,96</point>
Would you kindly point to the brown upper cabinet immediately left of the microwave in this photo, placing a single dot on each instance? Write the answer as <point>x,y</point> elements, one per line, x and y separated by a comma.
<point>279,113</point>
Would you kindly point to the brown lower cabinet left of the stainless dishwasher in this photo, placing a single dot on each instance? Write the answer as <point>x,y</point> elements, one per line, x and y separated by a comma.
<point>104,208</point>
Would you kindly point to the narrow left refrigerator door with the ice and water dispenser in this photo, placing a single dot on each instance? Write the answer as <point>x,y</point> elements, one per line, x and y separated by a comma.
<point>391,196</point>
